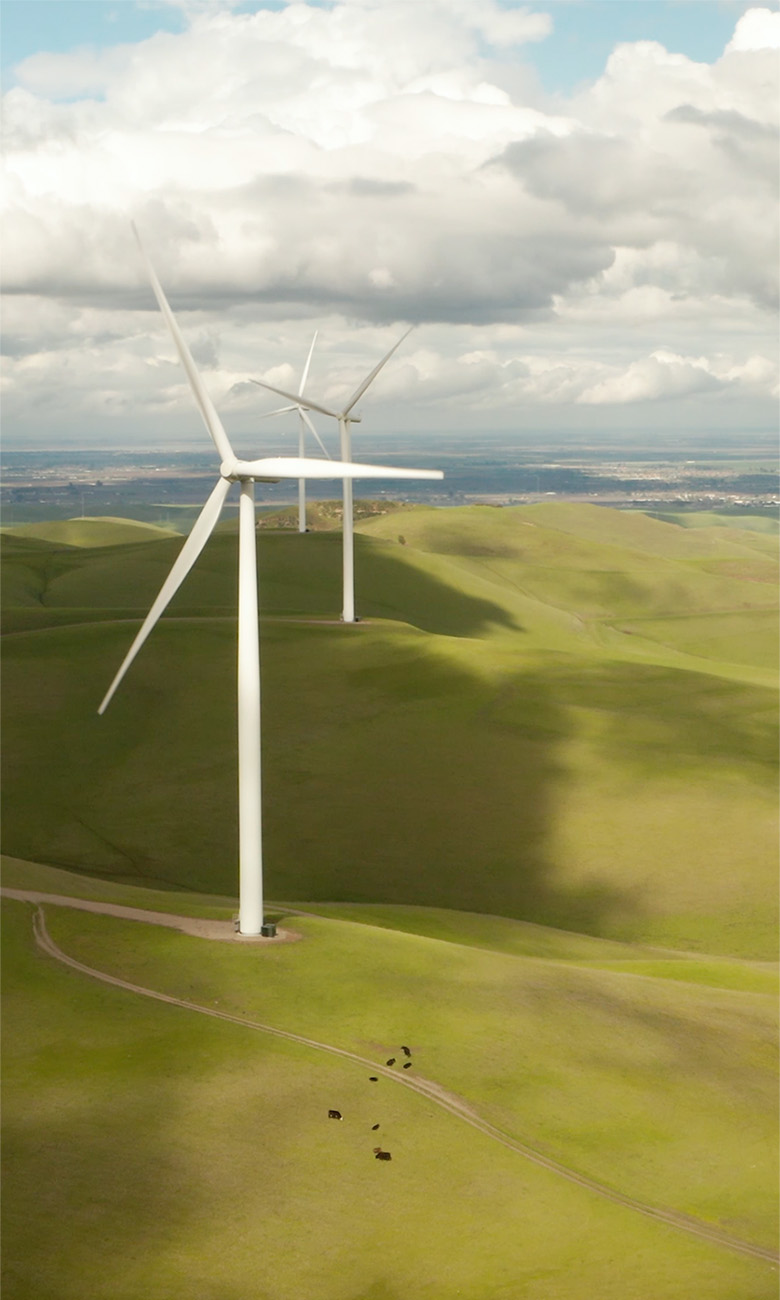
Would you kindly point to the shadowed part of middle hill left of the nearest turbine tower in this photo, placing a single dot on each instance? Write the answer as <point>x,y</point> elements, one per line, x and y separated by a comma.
<point>144,795</point>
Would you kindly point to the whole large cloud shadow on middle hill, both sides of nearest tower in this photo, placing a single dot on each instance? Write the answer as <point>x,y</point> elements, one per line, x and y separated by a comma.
<point>391,773</point>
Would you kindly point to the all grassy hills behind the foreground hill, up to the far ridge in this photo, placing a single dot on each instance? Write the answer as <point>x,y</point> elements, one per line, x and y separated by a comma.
<point>504,735</point>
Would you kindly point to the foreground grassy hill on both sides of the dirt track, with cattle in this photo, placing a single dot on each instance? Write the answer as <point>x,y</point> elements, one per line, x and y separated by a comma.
<point>167,1154</point>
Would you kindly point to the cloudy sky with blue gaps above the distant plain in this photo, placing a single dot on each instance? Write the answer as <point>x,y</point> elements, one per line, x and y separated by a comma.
<point>574,202</point>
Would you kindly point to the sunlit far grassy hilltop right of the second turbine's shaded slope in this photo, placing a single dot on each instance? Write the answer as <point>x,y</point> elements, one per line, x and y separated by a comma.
<point>609,570</point>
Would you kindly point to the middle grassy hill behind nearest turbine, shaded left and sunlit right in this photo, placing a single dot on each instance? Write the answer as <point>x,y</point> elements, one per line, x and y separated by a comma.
<point>398,772</point>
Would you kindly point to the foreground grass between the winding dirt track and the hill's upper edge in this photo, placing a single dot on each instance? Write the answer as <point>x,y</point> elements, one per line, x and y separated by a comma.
<point>645,1085</point>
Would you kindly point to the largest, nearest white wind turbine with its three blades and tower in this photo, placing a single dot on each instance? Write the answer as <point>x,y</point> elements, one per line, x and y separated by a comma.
<point>245,473</point>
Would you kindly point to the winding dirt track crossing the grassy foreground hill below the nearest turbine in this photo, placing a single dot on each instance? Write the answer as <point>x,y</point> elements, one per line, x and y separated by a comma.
<point>426,1087</point>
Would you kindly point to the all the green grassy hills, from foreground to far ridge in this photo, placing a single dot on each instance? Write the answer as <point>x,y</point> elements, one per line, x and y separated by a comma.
<point>523,818</point>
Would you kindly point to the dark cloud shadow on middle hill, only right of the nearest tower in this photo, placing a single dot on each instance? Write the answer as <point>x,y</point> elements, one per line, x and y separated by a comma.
<point>436,794</point>
